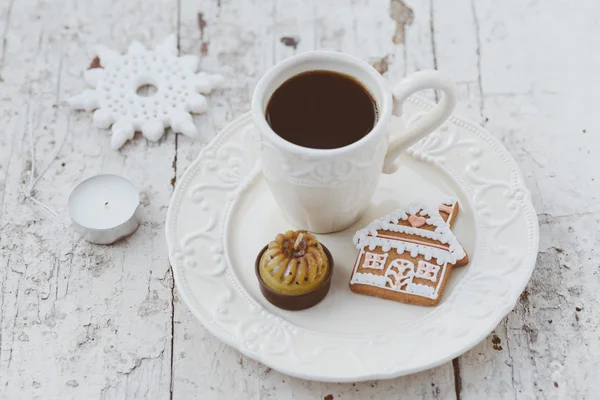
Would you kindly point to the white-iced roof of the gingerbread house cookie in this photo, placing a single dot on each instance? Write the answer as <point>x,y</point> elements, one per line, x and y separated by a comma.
<point>370,235</point>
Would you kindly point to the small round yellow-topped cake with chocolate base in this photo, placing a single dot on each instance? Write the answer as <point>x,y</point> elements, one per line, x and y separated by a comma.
<point>294,270</point>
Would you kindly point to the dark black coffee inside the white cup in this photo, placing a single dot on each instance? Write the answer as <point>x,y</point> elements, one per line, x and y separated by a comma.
<point>321,110</point>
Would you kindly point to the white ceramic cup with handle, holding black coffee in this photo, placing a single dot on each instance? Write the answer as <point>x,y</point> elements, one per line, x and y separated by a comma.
<point>327,190</point>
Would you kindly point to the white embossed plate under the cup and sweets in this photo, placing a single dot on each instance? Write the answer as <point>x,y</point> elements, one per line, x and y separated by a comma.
<point>222,214</point>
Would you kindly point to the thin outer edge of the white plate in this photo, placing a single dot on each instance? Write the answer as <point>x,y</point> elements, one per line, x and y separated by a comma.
<point>216,330</point>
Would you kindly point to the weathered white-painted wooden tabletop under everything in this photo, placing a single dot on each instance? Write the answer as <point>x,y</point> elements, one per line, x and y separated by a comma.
<point>85,321</point>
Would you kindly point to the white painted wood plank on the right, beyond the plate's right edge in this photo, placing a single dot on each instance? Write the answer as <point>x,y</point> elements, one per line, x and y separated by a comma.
<point>538,89</point>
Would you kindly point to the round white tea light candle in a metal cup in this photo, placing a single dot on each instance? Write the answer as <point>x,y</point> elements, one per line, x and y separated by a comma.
<point>105,209</point>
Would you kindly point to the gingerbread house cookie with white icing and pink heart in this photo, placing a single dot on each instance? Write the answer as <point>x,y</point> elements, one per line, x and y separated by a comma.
<point>408,256</point>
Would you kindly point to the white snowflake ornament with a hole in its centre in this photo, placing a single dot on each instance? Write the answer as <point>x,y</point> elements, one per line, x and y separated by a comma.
<point>117,102</point>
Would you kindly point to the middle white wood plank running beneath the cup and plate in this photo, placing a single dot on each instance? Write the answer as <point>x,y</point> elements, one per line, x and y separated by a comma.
<point>204,368</point>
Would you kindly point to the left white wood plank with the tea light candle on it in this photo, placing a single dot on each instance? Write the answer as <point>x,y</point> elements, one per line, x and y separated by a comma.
<point>79,320</point>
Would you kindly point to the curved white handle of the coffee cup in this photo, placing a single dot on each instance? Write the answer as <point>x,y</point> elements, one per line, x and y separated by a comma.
<point>413,83</point>
